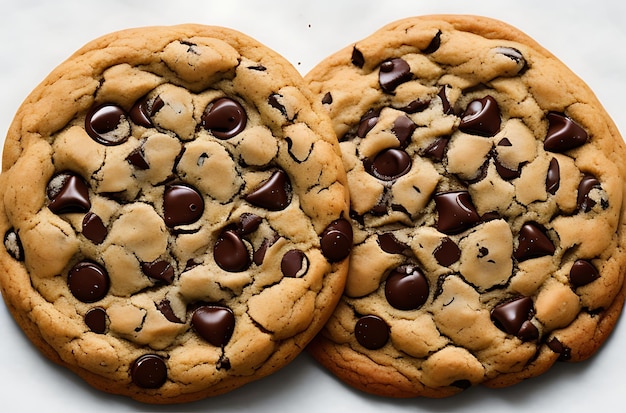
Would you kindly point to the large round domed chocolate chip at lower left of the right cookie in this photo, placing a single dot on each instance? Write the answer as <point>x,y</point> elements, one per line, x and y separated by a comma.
<point>406,288</point>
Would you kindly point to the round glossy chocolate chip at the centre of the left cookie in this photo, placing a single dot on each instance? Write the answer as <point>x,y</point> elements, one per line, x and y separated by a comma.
<point>182,204</point>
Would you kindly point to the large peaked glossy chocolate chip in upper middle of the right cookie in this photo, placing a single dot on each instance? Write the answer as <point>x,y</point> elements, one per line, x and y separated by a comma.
<point>482,117</point>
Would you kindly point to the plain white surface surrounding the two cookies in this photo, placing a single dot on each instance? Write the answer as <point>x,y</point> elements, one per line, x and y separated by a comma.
<point>589,36</point>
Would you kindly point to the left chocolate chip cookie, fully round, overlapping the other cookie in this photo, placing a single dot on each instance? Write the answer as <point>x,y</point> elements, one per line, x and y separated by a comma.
<point>174,213</point>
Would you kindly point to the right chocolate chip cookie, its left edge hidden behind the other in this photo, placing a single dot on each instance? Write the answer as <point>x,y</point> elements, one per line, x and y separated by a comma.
<point>487,200</point>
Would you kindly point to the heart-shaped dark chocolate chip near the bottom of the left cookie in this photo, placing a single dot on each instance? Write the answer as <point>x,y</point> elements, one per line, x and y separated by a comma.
<point>214,323</point>
